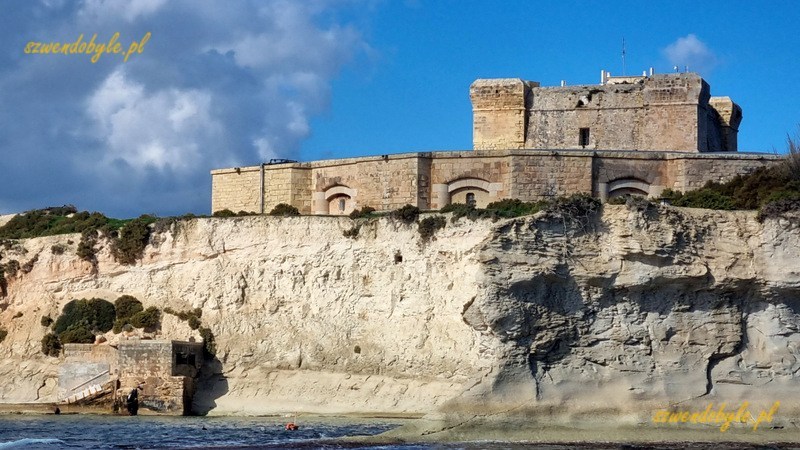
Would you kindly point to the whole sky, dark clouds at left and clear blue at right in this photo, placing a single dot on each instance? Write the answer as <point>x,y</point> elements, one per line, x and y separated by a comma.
<point>198,84</point>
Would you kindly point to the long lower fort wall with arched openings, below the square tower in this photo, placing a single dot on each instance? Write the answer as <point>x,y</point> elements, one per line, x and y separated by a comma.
<point>433,180</point>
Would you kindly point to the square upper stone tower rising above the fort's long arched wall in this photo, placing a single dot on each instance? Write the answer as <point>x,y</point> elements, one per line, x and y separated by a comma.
<point>669,112</point>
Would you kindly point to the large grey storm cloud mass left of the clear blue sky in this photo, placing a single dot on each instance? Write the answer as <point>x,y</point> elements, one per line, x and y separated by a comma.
<point>218,84</point>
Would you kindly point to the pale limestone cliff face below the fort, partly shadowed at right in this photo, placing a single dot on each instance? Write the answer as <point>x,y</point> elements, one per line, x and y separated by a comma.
<point>629,311</point>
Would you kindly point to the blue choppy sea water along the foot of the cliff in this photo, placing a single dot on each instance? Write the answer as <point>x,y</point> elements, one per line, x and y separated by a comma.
<point>72,431</point>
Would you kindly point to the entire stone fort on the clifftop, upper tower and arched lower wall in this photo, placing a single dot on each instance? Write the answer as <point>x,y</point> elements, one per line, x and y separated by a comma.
<point>627,135</point>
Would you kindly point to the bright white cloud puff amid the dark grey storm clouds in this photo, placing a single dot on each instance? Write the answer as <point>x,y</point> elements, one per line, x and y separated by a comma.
<point>162,130</point>
